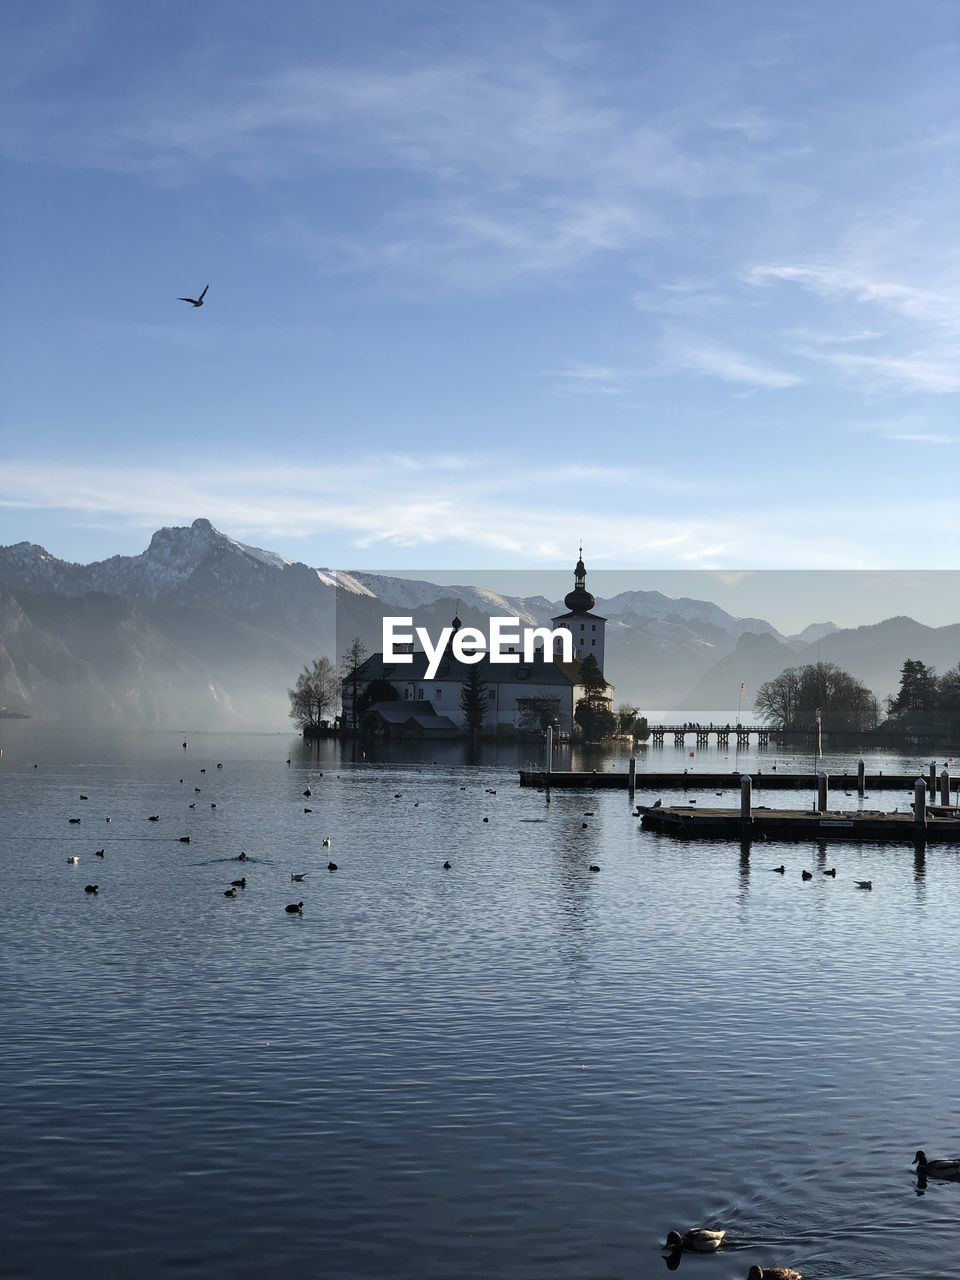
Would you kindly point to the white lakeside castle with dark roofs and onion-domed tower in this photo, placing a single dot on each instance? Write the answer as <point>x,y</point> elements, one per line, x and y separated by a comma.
<point>516,696</point>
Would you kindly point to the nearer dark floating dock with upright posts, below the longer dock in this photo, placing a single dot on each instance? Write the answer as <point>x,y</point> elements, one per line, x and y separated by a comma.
<point>902,829</point>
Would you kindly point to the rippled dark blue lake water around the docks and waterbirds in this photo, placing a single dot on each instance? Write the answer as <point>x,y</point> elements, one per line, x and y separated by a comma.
<point>518,1068</point>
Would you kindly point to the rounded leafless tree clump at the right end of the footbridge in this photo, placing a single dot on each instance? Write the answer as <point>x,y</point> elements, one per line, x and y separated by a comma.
<point>794,698</point>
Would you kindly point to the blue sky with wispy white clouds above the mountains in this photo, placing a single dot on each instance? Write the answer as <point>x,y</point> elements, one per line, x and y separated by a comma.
<point>682,280</point>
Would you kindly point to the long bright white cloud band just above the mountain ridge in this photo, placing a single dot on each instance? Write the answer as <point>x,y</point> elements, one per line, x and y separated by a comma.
<point>450,506</point>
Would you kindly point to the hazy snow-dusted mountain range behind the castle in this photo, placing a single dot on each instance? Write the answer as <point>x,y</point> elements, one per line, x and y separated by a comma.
<point>202,630</point>
